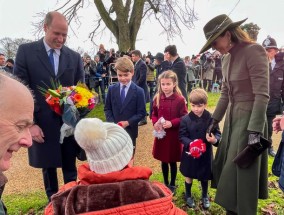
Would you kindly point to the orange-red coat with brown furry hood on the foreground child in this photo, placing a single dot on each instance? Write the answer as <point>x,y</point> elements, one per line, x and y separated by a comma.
<point>126,192</point>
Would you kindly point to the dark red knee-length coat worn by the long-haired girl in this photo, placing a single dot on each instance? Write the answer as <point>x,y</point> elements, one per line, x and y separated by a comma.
<point>169,148</point>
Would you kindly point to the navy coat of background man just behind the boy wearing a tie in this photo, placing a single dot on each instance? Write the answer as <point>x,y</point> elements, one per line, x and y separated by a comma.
<point>139,78</point>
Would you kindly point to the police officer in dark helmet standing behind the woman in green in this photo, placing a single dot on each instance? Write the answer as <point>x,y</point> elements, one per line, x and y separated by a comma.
<point>276,85</point>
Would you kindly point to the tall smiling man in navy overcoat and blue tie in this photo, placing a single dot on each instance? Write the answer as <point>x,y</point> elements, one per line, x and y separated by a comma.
<point>36,64</point>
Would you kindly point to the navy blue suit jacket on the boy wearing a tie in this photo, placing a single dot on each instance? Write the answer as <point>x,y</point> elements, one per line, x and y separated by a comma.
<point>132,110</point>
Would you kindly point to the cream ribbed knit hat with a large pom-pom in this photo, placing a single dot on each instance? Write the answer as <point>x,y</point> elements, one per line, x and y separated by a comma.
<point>108,146</point>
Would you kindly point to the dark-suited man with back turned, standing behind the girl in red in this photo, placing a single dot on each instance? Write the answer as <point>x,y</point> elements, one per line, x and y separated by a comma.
<point>178,67</point>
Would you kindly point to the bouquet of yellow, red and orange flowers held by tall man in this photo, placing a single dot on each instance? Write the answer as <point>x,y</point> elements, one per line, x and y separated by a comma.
<point>71,102</point>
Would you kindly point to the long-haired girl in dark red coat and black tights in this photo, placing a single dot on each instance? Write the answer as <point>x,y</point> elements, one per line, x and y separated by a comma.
<point>169,104</point>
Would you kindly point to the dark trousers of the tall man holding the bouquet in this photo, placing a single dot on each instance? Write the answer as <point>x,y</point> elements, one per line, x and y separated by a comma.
<point>69,170</point>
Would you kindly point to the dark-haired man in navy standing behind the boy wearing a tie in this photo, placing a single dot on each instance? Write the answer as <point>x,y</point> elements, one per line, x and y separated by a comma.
<point>140,77</point>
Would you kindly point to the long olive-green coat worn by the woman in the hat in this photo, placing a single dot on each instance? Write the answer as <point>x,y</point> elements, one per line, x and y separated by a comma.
<point>244,99</point>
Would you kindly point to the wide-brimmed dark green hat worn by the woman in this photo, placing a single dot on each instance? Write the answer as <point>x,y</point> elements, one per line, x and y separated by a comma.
<point>215,27</point>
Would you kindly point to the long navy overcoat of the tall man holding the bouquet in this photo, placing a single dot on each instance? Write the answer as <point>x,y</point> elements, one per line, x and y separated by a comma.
<point>33,67</point>
